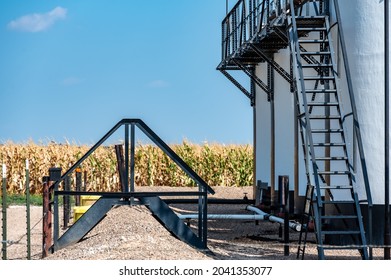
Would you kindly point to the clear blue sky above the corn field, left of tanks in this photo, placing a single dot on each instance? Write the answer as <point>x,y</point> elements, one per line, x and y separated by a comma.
<point>72,69</point>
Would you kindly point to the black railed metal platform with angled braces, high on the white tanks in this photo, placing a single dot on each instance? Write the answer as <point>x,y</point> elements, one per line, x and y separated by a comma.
<point>249,23</point>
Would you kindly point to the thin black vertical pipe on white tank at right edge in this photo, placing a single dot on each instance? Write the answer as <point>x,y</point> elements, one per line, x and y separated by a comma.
<point>387,238</point>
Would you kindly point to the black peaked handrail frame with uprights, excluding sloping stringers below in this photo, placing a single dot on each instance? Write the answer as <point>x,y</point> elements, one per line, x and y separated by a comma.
<point>129,193</point>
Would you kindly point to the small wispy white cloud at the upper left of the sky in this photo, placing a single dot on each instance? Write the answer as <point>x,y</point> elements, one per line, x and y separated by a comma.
<point>38,22</point>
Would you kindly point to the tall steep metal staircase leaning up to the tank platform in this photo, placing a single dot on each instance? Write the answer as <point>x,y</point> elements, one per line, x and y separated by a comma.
<point>321,118</point>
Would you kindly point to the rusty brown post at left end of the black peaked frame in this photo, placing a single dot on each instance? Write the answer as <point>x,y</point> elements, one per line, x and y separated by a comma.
<point>47,218</point>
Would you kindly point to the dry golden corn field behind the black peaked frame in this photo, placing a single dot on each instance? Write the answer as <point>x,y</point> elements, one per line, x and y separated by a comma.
<point>218,165</point>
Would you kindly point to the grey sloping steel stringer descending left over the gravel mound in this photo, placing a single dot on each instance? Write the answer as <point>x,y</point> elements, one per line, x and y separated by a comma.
<point>86,222</point>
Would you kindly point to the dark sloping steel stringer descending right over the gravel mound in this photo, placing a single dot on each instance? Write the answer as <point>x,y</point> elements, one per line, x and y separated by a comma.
<point>163,213</point>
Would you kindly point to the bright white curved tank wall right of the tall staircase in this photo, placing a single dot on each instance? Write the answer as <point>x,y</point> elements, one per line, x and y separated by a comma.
<point>363,25</point>
